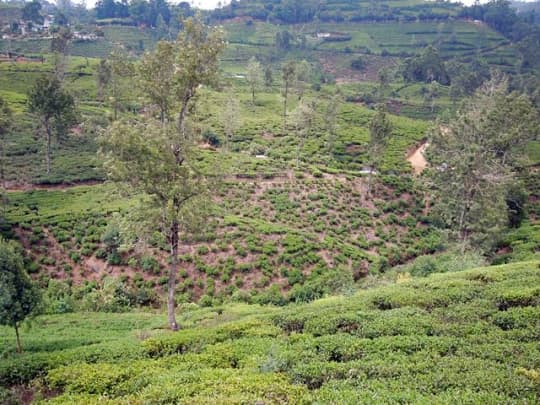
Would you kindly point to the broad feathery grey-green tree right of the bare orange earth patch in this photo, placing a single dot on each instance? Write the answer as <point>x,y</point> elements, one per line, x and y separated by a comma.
<point>475,159</point>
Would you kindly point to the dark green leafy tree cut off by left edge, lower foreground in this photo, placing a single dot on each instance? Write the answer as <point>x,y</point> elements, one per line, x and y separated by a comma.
<point>19,296</point>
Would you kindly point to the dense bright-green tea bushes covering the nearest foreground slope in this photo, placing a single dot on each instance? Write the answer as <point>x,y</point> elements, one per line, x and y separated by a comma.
<point>466,337</point>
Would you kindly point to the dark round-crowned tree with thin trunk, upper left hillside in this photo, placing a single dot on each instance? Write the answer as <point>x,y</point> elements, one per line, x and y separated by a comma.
<point>54,107</point>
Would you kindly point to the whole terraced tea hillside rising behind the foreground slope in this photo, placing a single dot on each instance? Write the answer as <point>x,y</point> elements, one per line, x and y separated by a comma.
<point>286,218</point>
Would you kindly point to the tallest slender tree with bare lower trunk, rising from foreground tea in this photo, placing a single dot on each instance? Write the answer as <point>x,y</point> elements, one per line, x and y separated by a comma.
<point>160,158</point>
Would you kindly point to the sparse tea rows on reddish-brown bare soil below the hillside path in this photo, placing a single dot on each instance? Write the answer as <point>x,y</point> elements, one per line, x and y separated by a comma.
<point>276,233</point>
